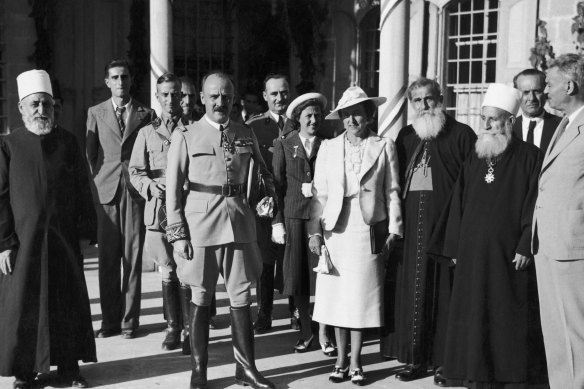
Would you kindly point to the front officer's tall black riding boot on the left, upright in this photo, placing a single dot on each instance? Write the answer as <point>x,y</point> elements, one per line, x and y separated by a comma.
<point>199,337</point>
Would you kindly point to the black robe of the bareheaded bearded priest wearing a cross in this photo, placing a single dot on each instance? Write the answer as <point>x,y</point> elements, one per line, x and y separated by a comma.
<point>412,328</point>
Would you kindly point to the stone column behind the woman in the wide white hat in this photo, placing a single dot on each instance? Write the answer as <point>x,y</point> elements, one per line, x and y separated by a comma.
<point>393,65</point>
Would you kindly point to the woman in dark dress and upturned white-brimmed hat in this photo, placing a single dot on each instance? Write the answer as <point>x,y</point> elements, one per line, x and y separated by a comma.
<point>293,163</point>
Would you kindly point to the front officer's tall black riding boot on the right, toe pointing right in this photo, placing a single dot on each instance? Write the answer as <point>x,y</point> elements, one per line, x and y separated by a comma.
<point>246,372</point>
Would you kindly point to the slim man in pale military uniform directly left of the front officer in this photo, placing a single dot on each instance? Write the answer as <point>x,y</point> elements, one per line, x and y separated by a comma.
<point>148,176</point>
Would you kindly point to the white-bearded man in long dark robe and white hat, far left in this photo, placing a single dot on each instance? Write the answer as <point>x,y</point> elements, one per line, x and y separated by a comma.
<point>45,317</point>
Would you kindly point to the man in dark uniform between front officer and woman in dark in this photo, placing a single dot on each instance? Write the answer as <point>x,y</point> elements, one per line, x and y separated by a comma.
<point>269,127</point>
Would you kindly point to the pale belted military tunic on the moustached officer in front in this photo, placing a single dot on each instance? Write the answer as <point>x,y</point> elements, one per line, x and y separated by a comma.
<point>196,155</point>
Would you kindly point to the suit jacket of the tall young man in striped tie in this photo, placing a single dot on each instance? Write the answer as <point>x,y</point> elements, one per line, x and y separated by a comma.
<point>108,152</point>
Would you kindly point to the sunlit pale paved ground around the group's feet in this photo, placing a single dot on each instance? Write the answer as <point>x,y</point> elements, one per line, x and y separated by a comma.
<point>141,364</point>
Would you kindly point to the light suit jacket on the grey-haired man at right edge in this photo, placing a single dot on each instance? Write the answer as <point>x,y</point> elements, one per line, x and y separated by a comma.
<point>558,219</point>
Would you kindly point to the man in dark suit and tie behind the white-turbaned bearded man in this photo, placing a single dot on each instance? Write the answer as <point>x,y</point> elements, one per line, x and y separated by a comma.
<point>535,125</point>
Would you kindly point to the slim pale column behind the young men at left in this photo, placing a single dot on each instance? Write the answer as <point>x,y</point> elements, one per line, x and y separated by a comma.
<point>161,47</point>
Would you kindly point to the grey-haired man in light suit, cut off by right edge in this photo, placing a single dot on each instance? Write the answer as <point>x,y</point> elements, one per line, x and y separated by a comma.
<point>558,228</point>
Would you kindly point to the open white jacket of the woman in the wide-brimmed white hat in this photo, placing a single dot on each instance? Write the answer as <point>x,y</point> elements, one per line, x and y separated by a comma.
<point>379,195</point>
